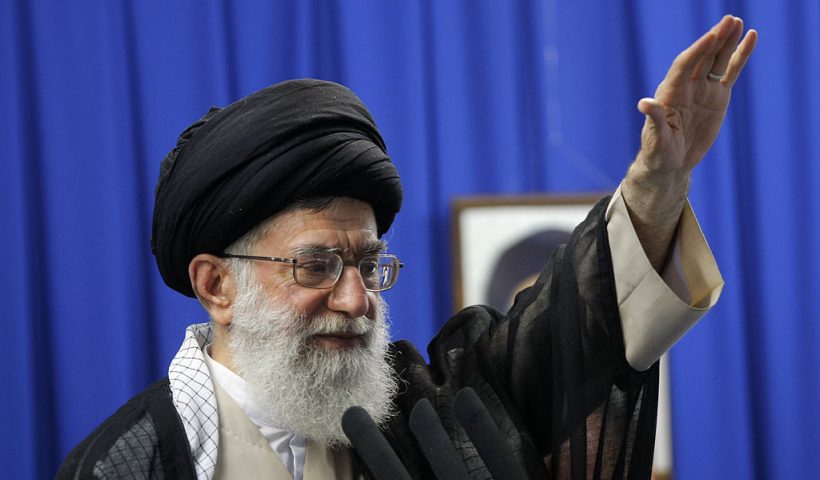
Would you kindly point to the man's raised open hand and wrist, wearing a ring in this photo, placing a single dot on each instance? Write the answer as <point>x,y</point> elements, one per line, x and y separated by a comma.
<point>682,122</point>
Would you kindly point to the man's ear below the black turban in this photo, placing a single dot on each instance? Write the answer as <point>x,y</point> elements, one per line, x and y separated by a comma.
<point>214,286</point>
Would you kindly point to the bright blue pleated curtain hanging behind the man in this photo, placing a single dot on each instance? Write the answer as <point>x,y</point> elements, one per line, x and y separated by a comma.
<point>472,98</point>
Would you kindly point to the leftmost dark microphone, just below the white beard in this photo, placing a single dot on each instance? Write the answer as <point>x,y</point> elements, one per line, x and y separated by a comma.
<point>371,445</point>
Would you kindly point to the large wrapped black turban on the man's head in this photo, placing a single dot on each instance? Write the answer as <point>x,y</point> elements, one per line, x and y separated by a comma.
<point>239,165</point>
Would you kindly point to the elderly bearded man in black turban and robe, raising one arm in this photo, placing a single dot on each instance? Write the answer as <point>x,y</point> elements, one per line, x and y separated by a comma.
<point>270,212</point>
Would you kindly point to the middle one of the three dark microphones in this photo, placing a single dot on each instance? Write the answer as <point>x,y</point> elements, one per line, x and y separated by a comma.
<point>435,443</point>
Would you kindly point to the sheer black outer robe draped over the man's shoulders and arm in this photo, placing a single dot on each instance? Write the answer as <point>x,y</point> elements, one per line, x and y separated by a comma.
<point>552,372</point>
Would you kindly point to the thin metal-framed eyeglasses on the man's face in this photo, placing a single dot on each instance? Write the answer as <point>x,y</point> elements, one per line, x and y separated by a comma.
<point>323,269</point>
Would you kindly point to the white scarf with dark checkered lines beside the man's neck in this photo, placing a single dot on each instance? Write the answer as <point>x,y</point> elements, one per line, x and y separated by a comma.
<point>194,398</point>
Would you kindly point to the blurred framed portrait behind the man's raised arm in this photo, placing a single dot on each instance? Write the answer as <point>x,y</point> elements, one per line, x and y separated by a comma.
<point>500,245</point>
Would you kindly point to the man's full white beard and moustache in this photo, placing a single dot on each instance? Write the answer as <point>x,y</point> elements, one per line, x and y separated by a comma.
<point>305,387</point>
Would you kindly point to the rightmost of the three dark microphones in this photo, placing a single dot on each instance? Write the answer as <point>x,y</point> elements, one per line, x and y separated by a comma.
<point>482,430</point>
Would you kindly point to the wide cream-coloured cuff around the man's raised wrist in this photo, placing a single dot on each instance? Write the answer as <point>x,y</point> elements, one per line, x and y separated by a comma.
<point>657,309</point>
